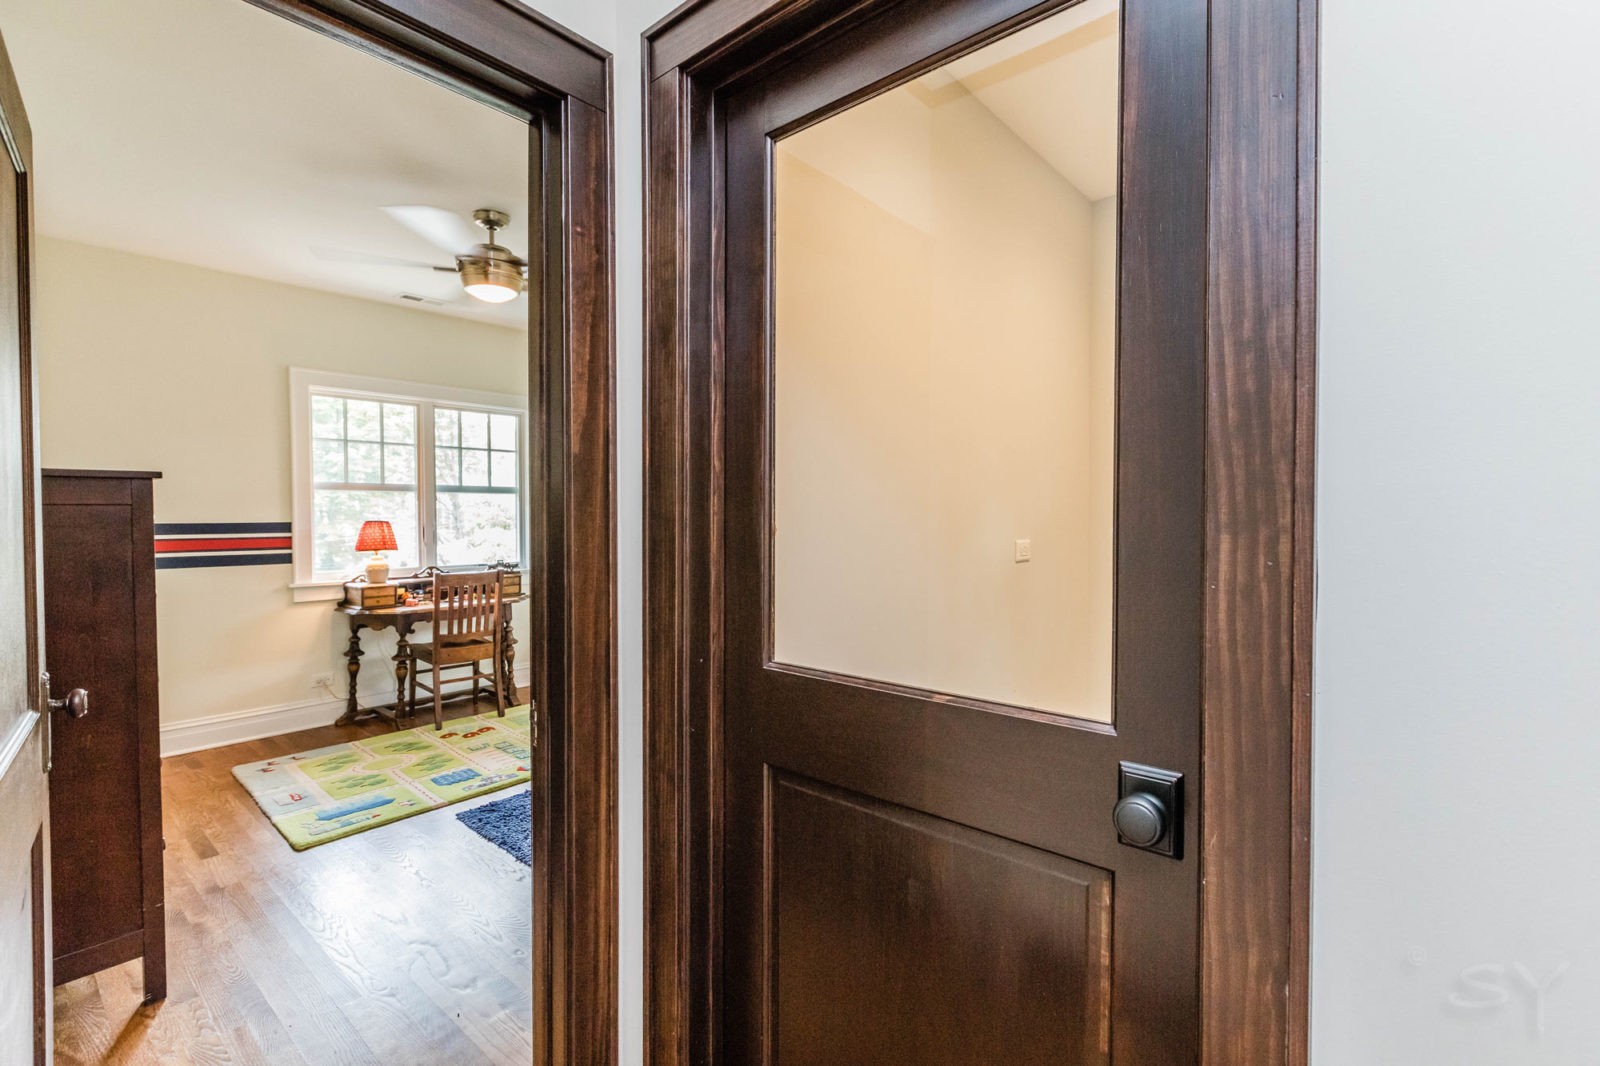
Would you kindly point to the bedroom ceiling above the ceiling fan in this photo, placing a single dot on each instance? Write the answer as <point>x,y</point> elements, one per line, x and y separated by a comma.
<point>220,135</point>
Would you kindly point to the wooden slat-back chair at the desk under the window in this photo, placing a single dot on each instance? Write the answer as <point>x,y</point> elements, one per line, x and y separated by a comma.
<point>466,633</point>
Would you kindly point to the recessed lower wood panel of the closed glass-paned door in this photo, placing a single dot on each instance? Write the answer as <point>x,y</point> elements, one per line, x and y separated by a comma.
<point>902,931</point>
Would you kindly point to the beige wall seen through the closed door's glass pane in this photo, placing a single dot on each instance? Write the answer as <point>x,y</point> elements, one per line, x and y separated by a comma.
<point>943,388</point>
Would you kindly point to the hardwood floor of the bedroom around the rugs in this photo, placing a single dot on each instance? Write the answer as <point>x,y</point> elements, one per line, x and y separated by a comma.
<point>406,945</point>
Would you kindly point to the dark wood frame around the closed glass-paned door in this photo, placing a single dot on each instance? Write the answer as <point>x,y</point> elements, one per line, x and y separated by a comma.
<point>1257,617</point>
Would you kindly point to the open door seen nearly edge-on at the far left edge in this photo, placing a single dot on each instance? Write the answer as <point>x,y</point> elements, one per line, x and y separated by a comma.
<point>25,900</point>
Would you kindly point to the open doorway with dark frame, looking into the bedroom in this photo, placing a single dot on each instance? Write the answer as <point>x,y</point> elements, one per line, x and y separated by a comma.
<point>337,307</point>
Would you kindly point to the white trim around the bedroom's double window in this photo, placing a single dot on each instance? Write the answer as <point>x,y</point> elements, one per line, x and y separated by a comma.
<point>305,382</point>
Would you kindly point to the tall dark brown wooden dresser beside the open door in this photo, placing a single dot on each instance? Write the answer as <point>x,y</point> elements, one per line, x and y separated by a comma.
<point>106,782</point>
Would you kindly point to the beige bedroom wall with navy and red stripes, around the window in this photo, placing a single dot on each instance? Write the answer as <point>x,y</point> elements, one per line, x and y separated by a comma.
<point>148,364</point>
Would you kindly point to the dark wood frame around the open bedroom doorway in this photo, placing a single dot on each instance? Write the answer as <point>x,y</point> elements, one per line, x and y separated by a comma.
<point>505,55</point>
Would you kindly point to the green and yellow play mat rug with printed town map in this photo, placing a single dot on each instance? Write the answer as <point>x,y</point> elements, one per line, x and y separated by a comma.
<point>330,793</point>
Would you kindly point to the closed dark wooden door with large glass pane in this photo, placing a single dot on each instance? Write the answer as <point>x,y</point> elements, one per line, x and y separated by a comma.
<point>916,872</point>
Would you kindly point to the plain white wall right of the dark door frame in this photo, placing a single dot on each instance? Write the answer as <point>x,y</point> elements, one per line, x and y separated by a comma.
<point>1458,631</point>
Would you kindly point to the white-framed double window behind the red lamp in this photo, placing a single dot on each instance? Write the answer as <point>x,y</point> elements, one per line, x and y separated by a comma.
<point>444,467</point>
